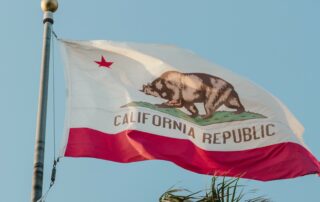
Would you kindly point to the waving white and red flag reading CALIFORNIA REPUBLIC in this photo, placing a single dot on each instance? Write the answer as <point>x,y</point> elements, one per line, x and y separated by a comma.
<point>129,102</point>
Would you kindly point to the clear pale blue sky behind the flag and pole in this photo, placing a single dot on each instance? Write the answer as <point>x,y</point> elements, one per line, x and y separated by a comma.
<point>273,43</point>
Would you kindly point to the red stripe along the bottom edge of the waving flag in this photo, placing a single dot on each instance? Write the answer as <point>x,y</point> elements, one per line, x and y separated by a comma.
<point>279,161</point>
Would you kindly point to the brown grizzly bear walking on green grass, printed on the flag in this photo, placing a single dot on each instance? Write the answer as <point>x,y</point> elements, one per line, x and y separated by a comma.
<point>186,89</point>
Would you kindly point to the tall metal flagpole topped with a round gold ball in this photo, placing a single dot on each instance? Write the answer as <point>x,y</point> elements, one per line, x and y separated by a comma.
<point>48,8</point>
